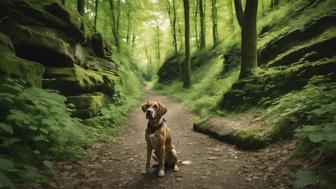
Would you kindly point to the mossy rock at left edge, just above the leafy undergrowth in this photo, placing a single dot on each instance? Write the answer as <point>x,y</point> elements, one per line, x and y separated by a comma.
<point>30,71</point>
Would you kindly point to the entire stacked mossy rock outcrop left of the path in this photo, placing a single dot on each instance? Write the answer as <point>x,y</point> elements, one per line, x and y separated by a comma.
<point>46,45</point>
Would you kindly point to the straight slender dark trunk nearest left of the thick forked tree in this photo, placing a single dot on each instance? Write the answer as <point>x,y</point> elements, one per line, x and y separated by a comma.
<point>187,62</point>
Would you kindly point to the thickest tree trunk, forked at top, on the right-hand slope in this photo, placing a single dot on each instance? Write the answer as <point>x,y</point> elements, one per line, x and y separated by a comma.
<point>248,23</point>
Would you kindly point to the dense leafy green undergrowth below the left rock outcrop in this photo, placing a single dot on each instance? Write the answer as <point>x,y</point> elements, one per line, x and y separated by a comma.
<point>35,130</point>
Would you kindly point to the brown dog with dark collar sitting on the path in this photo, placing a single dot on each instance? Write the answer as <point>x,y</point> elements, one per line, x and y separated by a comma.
<point>158,138</point>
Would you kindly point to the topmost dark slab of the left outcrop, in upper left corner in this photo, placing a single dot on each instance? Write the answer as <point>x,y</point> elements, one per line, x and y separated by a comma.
<point>48,13</point>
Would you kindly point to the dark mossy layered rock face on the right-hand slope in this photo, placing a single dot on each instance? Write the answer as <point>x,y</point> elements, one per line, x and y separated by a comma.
<point>289,60</point>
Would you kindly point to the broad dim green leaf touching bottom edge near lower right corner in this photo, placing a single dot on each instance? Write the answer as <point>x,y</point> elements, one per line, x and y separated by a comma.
<point>303,179</point>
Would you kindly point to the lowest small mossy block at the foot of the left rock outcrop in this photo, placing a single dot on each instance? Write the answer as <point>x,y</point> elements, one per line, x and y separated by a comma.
<point>87,105</point>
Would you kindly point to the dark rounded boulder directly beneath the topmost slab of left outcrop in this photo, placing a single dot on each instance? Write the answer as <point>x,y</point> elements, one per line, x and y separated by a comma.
<point>31,44</point>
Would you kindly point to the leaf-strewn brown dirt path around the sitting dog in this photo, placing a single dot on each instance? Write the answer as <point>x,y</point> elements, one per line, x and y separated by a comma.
<point>121,163</point>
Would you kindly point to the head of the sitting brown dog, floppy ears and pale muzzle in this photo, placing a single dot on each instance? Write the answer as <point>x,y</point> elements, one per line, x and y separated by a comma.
<point>153,110</point>
